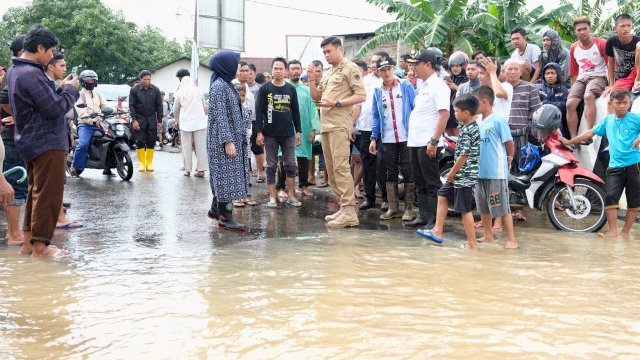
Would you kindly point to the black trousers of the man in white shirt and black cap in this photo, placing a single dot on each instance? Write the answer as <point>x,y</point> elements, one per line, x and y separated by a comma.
<point>426,171</point>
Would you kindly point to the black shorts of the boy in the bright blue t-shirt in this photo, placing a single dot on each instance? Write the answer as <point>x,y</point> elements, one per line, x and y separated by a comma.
<point>620,179</point>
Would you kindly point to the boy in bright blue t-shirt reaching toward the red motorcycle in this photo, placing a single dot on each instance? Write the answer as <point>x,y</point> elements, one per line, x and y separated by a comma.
<point>623,131</point>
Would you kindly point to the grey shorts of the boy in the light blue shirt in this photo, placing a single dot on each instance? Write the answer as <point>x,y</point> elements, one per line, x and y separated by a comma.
<point>492,197</point>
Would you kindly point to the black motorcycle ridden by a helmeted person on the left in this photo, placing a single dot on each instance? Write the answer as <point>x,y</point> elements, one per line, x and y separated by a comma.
<point>109,146</point>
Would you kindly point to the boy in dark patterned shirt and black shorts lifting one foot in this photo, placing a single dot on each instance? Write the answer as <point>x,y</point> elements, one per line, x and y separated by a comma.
<point>463,175</point>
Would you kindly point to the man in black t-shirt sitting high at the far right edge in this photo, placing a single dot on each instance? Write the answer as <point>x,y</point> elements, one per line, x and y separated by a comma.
<point>621,50</point>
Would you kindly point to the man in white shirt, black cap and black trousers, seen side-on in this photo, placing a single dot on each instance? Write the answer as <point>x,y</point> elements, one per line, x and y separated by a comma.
<point>426,125</point>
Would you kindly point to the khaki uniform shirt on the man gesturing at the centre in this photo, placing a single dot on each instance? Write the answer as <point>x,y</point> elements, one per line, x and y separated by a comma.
<point>339,83</point>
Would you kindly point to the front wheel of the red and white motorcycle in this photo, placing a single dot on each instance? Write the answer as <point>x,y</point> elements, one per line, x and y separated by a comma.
<point>590,214</point>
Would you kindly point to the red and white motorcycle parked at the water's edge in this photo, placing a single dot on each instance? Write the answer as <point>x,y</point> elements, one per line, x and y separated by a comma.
<point>574,196</point>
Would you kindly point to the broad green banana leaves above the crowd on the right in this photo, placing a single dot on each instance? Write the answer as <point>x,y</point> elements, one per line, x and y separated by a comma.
<point>486,25</point>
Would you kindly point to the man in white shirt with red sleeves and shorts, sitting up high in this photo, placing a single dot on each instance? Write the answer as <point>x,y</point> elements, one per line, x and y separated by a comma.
<point>588,72</point>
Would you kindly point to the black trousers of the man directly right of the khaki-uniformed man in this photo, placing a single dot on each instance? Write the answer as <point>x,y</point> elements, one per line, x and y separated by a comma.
<point>374,169</point>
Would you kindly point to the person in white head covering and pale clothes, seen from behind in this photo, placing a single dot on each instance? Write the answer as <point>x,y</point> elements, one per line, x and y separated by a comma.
<point>189,112</point>
